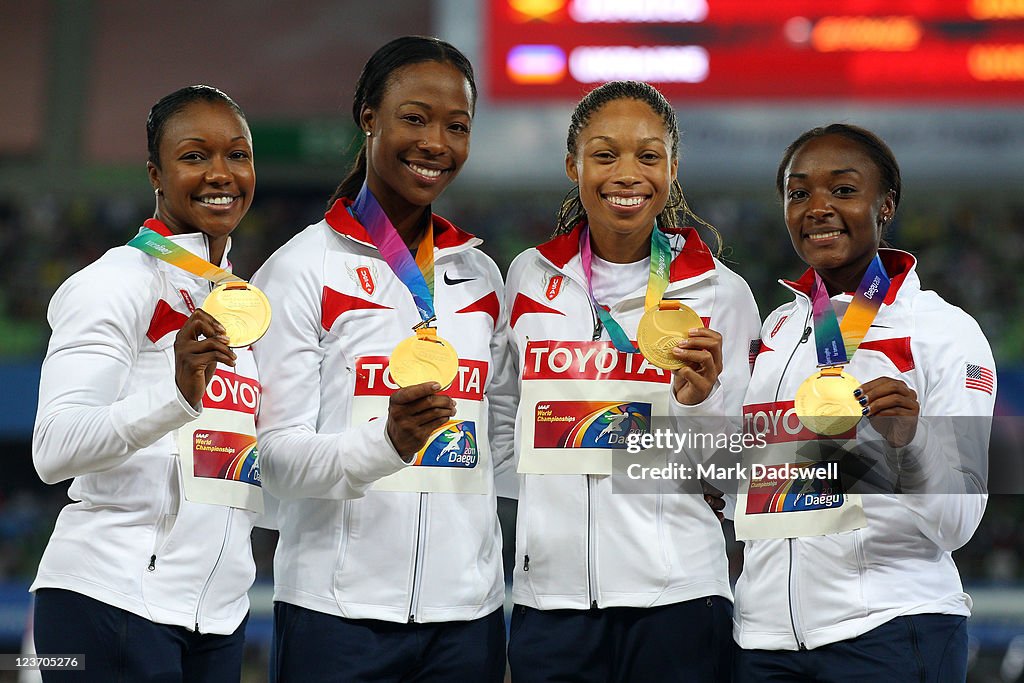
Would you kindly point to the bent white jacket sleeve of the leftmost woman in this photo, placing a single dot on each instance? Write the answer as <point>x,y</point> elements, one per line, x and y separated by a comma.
<point>84,422</point>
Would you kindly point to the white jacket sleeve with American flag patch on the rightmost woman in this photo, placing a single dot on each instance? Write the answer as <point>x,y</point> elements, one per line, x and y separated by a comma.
<point>944,473</point>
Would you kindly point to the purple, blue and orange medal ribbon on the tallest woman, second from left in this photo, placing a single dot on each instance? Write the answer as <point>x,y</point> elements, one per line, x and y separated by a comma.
<point>418,275</point>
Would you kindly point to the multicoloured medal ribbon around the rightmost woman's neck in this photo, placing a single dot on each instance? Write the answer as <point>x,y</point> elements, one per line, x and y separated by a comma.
<point>836,344</point>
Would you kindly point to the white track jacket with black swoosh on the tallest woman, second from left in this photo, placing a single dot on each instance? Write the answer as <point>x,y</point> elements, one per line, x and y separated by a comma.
<point>346,548</point>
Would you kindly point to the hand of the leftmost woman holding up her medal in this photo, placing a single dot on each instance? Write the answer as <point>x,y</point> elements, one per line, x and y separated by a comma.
<point>195,359</point>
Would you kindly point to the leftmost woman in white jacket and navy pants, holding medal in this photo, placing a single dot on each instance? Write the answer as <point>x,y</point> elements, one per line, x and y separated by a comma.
<point>145,583</point>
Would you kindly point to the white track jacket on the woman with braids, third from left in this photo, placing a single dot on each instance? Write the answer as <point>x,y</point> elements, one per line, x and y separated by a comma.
<point>578,545</point>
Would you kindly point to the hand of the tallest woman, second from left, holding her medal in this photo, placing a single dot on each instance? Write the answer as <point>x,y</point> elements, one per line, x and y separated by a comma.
<point>414,413</point>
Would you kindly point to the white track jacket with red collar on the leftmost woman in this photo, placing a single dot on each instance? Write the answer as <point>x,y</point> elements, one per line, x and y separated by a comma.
<point>109,409</point>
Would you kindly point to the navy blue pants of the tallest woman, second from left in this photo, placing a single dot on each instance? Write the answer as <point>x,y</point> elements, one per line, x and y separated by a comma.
<point>314,648</point>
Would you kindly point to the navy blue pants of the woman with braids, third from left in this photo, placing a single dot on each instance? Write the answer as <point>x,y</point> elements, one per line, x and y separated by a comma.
<point>691,643</point>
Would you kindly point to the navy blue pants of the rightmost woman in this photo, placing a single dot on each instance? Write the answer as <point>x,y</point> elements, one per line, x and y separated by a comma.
<point>922,649</point>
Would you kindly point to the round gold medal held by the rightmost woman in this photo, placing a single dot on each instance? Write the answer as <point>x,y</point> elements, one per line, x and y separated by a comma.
<point>826,404</point>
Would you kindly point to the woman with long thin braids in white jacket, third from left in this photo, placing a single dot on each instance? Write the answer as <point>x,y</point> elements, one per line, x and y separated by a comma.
<point>623,586</point>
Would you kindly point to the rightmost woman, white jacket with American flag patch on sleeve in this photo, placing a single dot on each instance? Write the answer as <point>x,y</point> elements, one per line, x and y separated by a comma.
<point>850,578</point>
